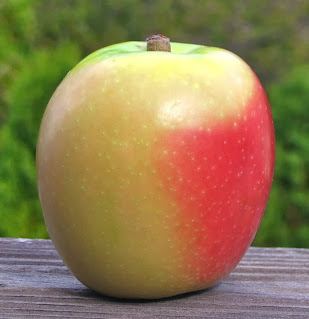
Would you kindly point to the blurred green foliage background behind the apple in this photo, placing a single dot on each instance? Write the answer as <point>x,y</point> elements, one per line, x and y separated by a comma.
<point>40,41</point>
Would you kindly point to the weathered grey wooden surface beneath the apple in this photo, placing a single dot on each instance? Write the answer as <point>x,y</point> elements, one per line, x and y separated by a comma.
<point>268,283</point>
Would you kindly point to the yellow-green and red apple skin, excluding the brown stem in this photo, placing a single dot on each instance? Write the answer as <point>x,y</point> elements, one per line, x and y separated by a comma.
<point>154,168</point>
